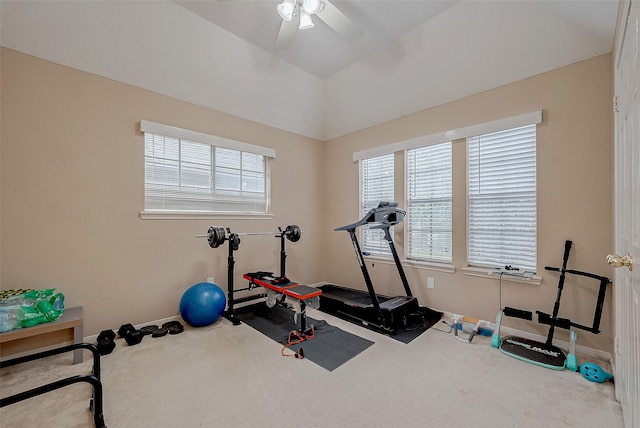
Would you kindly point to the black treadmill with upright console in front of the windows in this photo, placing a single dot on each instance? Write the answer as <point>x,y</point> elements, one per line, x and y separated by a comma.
<point>387,314</point>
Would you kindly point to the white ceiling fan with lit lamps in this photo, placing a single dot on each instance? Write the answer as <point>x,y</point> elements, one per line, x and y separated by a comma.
<point>297,14</point>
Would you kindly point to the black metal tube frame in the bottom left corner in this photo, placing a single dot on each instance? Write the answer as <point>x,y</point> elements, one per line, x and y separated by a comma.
<point>95,404</point>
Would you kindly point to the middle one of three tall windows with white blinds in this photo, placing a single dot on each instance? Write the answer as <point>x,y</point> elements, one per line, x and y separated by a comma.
<point>429,203</point>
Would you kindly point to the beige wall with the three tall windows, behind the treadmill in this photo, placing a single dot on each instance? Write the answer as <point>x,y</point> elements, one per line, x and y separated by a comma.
<point>575,182</point>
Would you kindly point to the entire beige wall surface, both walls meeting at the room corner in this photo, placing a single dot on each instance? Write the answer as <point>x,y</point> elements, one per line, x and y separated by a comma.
<point>72,189</point>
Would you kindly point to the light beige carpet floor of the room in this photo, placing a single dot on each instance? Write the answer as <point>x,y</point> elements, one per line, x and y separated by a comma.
<point>234,376</point>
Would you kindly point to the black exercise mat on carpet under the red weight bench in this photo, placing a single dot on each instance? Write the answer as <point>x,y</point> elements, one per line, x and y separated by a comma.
<point>329,348</point>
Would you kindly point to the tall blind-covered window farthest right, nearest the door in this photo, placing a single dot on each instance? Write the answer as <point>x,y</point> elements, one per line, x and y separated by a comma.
<point>502,198</point>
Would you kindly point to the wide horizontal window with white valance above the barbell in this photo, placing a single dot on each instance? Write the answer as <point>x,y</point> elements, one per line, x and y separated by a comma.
<point>192,172</point>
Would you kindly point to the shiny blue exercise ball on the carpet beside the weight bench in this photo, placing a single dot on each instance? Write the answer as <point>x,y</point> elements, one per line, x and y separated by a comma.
<point>202,304</point>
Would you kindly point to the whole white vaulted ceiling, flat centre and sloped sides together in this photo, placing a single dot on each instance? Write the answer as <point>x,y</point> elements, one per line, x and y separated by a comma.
<point>221,54</point>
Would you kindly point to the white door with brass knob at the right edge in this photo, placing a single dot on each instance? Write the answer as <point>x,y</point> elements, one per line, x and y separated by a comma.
<point>626,287</point>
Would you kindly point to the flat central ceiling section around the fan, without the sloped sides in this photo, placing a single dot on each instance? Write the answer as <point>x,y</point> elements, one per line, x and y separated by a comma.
<point>320,50</point>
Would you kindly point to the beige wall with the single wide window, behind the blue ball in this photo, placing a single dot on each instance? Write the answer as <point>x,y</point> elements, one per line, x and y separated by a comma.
<point>72,189</point>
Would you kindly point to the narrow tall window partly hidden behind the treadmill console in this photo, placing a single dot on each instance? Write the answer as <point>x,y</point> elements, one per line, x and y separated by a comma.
<point>377,185</point>
